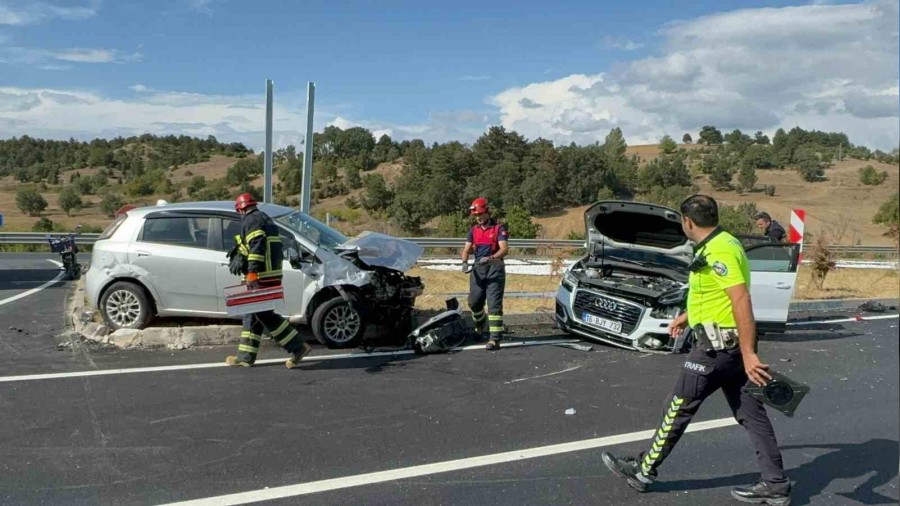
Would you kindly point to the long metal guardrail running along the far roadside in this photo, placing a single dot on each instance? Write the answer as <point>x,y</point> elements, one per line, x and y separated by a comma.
<point>444,242</point>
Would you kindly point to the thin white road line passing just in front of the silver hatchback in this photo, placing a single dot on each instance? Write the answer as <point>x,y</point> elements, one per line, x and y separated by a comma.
<point>317,358</point>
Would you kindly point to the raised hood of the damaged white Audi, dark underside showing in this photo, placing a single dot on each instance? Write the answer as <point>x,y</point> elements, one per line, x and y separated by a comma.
<point>641,232</point>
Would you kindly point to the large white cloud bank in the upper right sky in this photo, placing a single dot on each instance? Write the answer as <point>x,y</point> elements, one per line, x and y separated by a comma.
<point>829,67</point>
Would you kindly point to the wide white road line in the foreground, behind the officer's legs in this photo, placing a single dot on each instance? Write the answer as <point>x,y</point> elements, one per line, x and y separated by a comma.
<point>315,487</point>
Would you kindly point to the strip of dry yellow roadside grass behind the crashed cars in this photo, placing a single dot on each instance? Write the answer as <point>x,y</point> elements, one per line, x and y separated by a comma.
<point>840,283</point>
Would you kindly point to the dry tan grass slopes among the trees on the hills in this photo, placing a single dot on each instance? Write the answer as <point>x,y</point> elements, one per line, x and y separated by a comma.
<point>839,205</point>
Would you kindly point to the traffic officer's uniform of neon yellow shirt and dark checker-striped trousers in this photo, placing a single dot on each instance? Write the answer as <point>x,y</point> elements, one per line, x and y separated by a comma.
<point>722,264</point>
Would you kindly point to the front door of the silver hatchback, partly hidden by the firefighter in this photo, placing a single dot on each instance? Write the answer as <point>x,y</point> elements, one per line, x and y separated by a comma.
<point>294,280</point>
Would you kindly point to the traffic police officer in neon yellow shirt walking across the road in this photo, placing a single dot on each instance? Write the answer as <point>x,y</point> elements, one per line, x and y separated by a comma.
<point>724,356</point>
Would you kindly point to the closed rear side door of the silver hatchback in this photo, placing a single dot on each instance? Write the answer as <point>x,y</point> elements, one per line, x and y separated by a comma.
<point>172,251</point>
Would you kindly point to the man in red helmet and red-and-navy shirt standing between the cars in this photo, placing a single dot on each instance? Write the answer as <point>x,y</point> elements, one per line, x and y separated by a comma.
<point>489,241</point>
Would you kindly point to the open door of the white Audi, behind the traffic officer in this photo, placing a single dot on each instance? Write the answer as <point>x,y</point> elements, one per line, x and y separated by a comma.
<point>773,275</point>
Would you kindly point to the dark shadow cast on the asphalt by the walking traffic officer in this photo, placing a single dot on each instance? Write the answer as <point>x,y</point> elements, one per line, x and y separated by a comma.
<point>877,458</point>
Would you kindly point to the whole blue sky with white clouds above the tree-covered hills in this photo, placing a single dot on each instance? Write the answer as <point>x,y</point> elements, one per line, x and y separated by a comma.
<point>567,71</point>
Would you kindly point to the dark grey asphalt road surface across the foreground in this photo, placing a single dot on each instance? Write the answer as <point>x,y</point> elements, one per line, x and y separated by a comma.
<point>163,436</point>
